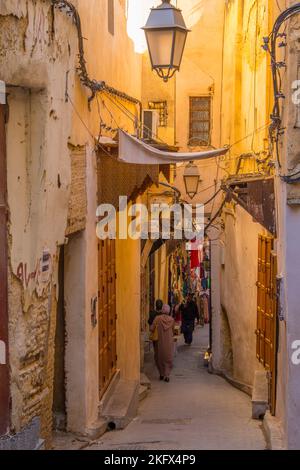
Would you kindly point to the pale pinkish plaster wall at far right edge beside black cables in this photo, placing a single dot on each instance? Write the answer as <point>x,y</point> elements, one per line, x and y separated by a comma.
<point>288,391</point>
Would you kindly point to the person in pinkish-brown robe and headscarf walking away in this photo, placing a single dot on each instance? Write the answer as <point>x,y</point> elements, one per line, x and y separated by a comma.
<point>164,348</point>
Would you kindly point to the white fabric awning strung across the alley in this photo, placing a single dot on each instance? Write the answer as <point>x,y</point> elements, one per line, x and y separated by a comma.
<point>133,150</point>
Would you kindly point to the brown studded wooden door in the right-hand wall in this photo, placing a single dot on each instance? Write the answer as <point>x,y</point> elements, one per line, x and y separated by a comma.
<point>266,348</point>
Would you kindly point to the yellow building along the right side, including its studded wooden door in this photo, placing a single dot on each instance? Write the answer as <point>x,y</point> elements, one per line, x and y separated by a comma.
<point>254,320</point>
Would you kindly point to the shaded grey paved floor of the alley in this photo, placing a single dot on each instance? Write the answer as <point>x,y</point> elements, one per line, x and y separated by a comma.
<point>195,411</point>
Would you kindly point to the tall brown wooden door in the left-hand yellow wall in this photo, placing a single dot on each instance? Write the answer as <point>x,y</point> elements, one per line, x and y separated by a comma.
<point>107,313</point>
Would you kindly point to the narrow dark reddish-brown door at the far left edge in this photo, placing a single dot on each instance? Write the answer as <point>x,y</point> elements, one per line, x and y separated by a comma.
<point>4,367</point>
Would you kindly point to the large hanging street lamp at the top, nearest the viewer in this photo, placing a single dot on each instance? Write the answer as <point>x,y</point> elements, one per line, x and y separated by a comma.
<point>166,35</point>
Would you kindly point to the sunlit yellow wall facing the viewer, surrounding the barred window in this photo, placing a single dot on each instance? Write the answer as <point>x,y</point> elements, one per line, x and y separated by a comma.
<point>200,74</point>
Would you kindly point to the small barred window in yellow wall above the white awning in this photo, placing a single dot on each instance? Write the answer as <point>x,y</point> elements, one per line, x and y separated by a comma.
<point>200,121</point>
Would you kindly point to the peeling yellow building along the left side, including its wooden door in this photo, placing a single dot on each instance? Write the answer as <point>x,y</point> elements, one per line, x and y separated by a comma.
<point>67,291</point>
